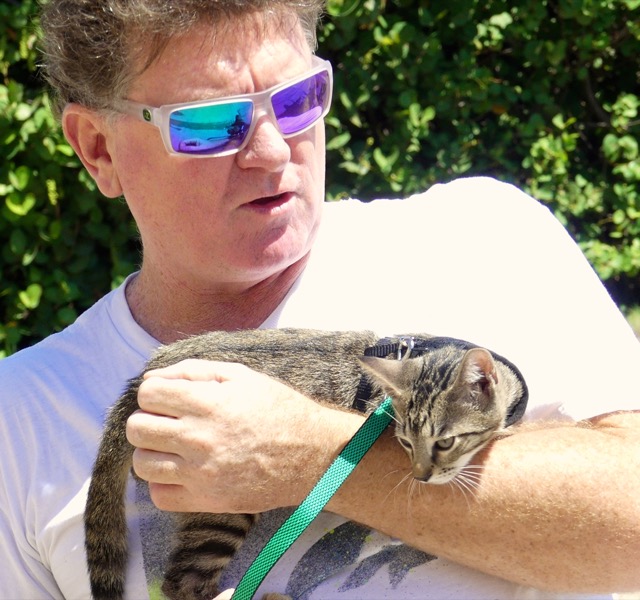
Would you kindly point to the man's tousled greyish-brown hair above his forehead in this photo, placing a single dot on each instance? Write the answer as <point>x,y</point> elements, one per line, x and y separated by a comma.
<point>94,49</point>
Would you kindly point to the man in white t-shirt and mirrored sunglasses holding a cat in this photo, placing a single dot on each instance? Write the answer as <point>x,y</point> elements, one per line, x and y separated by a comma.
<point>233,237</point>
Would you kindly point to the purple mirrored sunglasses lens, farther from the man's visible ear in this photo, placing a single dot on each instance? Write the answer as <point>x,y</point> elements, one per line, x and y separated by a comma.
<point>300,105</point>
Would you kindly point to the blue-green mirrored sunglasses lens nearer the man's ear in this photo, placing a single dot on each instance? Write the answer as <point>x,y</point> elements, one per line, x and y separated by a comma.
<point>210,129</point>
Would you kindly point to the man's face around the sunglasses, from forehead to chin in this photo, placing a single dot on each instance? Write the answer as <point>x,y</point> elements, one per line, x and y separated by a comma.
<point>236,219</point>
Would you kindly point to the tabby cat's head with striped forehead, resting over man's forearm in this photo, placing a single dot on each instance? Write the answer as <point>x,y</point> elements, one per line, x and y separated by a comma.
<point>445,407</point>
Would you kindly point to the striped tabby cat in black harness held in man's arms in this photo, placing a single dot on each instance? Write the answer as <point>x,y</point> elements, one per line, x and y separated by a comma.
<point>449,398</point>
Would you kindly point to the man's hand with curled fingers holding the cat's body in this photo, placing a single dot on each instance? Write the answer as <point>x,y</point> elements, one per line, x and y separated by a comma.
<point>219,437</point>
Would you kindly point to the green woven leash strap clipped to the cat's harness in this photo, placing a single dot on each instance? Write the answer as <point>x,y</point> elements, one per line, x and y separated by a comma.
<point>317,499</point>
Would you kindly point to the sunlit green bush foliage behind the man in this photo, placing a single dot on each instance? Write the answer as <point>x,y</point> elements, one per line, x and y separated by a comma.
<point>543,94</point>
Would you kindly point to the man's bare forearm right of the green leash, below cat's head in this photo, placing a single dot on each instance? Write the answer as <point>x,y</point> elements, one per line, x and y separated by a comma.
<point>555,508</point>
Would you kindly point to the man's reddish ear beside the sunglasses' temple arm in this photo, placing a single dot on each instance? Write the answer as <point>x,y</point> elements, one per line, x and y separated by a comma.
<point>87,132</point>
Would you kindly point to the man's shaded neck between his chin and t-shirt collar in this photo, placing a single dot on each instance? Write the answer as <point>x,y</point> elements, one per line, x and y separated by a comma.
<point>170,312</point>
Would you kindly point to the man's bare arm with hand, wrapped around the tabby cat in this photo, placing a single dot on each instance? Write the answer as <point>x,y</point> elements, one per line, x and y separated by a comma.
<point>556,508</point>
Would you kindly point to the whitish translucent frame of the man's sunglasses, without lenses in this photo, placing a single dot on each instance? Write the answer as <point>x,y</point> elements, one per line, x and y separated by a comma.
<point>159,116</point>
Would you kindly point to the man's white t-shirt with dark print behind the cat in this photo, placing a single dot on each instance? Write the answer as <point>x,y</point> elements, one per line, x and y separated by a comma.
<point>473,259</point>
